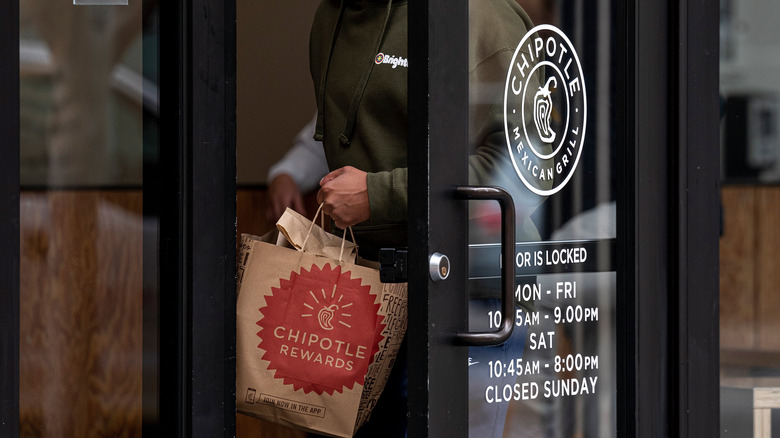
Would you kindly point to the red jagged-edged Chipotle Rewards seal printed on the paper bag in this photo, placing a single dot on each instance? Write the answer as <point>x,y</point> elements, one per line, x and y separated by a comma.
<point>320,322</point>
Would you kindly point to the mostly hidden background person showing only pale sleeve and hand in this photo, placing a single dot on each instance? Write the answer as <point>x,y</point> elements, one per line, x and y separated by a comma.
<point>297,173</point>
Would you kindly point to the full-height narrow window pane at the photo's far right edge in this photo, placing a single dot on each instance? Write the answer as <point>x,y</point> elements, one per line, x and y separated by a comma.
<point>750,171</point>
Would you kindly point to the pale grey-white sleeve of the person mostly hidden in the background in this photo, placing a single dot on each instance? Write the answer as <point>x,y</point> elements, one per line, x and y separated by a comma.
<point>304,162</point>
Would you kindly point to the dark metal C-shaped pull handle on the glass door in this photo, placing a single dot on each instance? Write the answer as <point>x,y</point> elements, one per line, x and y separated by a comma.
<point>507,267</point>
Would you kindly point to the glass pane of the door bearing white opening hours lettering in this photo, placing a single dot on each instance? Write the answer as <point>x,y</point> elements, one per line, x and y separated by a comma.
<point>556,375</point>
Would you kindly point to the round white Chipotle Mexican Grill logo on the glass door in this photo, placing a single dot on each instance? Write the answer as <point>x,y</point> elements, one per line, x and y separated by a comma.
<point>545,110</point>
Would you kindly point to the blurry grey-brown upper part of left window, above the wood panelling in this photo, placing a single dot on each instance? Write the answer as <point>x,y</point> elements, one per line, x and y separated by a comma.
<point>87,64</point>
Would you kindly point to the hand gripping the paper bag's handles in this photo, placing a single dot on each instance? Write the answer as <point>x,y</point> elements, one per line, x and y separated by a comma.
<point>344,195</point>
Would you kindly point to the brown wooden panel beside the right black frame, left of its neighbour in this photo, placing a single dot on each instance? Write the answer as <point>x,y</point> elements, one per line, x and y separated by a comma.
<point>737,269</point>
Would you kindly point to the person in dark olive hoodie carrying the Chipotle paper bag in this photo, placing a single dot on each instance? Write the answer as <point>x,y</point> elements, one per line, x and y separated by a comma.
<point>358,61</point>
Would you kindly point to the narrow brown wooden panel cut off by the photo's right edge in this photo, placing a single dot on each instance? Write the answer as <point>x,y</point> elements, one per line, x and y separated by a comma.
<point>767,261</point>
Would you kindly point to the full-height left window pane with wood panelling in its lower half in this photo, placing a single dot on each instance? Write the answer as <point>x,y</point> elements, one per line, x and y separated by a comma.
<point>88,104</point>
